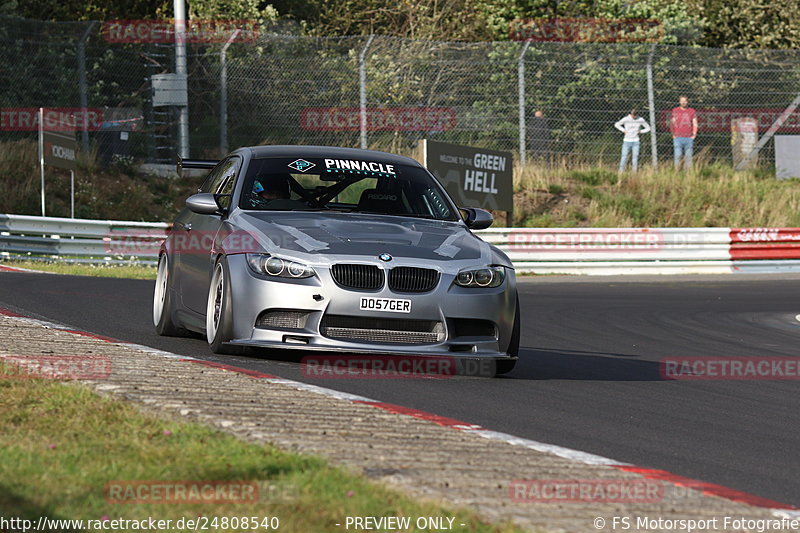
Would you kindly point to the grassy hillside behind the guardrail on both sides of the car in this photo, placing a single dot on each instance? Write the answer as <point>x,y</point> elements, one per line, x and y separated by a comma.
<point>544,196</point>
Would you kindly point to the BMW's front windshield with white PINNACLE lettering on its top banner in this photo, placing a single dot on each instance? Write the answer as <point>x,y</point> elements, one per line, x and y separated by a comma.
<point>360,186</point>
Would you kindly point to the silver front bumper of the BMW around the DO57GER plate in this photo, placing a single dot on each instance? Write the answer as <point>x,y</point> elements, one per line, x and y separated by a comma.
<point>448,305</point>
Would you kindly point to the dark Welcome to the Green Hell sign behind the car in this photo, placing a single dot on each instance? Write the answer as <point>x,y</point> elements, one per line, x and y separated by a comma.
<point>474,177</point>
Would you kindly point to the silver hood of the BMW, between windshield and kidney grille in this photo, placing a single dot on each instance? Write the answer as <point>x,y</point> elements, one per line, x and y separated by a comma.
<point>362,234</point>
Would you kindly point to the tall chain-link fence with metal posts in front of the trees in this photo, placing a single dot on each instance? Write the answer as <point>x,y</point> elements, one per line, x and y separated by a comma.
<point>290,89</point>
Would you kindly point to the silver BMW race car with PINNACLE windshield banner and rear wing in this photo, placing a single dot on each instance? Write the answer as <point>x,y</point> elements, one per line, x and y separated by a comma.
<point>334,249</point>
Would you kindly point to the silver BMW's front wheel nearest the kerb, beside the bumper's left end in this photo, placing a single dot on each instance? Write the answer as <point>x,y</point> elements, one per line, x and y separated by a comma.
<point>219,315</point>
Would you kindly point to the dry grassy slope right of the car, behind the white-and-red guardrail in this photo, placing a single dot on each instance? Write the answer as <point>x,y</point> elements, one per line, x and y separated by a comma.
<point>709,195</point>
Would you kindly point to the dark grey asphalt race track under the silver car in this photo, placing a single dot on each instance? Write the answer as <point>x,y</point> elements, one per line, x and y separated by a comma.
<point>588,378</point>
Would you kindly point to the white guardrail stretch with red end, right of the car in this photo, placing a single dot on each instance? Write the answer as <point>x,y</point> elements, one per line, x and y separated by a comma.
<point>648,250</point>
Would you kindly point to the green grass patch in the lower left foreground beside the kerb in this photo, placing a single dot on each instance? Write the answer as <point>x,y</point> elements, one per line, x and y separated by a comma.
<point>62,445</point>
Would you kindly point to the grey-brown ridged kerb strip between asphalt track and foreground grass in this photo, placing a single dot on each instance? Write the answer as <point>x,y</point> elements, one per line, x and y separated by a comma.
<point>417,456</point>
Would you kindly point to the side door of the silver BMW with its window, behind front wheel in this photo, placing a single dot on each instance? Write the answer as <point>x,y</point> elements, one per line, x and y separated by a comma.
<point>200,232</point>
